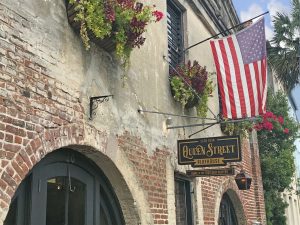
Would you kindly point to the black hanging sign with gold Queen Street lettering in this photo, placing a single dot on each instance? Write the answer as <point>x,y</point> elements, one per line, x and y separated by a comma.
<point>214,151</point>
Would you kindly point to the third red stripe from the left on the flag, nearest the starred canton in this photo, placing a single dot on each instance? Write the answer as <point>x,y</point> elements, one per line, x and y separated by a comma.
<point>239,86</point>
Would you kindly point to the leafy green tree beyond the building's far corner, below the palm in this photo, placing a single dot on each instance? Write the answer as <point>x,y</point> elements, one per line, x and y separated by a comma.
<point>277,162</point>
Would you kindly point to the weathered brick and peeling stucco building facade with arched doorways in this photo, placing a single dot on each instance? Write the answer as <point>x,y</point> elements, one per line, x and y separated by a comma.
<point>62,164</point>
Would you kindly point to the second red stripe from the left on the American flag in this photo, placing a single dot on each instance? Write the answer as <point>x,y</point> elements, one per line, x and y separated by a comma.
<point>228,78</point>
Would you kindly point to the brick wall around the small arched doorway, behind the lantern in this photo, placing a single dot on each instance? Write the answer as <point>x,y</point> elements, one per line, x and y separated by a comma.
<point>251,201</point>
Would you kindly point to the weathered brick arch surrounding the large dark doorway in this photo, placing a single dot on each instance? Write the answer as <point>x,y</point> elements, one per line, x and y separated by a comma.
<point>74,136</point>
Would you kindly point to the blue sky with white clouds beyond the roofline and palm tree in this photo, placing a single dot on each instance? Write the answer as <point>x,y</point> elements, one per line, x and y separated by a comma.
<point>247,9</point>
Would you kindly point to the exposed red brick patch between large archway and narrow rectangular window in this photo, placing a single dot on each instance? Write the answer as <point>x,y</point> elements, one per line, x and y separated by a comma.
<point>151,171</point>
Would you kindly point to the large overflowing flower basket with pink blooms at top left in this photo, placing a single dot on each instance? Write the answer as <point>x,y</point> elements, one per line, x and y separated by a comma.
<point>115,25</point>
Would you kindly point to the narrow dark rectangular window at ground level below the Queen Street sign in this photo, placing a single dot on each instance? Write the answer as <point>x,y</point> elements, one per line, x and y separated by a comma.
<point>183,202</point>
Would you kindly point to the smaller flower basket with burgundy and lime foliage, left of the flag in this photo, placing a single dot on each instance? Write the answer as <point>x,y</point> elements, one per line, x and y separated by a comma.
<point>190,86</point>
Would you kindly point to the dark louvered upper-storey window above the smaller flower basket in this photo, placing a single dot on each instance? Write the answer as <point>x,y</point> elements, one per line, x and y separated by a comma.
<point>175,34</point>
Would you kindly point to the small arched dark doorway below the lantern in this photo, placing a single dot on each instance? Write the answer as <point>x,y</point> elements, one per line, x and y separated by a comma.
<point>227,215</point>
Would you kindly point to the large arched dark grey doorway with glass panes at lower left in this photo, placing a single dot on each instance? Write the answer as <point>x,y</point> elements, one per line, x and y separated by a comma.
<point>65,188</point>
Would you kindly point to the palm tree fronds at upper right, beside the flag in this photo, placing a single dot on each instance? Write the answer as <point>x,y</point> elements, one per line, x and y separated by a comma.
<point>284,51</point>
